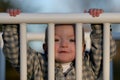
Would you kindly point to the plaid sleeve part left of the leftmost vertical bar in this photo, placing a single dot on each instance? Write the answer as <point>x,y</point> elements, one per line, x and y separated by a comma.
<point>11,44</point>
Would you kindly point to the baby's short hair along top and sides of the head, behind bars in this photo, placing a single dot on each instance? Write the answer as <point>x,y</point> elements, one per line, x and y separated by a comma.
<point>46,32</point>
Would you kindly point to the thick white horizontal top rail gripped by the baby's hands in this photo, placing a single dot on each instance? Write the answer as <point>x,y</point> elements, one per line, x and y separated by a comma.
<point>59,18</point>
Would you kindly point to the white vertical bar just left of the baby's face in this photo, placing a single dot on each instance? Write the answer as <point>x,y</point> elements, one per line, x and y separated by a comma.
<point>51,59</point>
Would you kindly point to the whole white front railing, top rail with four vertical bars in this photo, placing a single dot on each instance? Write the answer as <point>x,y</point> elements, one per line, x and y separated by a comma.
<point>51,19</point>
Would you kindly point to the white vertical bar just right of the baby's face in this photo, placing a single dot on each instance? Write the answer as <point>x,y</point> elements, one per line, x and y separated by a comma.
<point>78,51</point>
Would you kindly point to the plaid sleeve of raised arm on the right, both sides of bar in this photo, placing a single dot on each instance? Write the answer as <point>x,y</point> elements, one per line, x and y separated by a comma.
<point>96,54</point>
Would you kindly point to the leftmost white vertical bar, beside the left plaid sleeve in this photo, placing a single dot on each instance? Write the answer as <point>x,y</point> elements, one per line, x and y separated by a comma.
<point>23,52</point>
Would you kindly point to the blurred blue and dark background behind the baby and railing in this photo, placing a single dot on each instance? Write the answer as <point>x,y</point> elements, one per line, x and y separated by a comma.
<point>61,6</point>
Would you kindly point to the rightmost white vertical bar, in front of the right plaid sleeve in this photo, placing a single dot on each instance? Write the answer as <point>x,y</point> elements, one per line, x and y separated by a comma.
<point>106,52</point>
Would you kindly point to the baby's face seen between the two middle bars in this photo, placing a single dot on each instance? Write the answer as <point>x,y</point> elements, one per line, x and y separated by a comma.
<point>64,43</point>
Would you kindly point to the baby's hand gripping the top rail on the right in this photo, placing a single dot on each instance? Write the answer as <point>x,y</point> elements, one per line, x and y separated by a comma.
<point>95,12</point>
